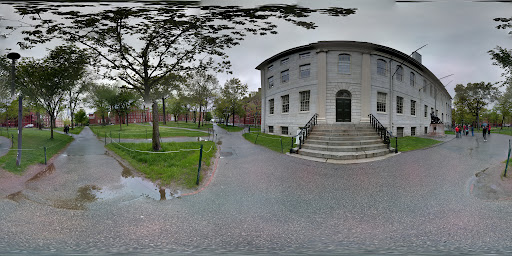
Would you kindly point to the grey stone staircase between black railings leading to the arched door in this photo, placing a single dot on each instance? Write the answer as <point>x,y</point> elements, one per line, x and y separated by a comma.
<point>344,142</point>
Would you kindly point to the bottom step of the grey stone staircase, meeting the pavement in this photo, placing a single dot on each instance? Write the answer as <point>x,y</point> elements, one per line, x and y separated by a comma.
<point>344,155</point>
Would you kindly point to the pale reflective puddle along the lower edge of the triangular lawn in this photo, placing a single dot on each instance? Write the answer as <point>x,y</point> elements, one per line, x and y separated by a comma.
<point>137,186</point>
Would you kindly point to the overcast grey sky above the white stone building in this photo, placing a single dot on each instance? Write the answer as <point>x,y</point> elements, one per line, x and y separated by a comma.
<point>458,33</point>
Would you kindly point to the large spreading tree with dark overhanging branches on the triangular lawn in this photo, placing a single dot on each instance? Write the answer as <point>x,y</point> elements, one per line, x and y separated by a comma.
<point>141,45</point>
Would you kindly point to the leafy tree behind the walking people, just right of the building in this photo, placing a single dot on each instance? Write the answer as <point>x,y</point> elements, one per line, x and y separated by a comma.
<point>475,96</point>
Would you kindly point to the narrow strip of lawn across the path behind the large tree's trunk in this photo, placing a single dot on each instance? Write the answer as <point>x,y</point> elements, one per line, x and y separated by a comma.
<point>134,131</point>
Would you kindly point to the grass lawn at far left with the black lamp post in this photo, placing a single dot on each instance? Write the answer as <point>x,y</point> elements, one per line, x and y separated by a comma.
<point>32,139</point>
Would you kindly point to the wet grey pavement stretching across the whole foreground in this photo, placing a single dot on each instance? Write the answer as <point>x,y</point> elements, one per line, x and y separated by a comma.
<point>263,202</point>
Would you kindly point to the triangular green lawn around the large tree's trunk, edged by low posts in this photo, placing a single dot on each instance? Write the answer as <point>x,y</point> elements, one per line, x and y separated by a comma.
<point>171,168</point>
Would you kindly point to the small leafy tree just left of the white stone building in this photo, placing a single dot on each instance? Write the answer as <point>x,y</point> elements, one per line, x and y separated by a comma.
<point>233,93</point>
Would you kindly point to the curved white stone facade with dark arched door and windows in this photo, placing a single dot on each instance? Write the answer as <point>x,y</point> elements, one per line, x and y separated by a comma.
<point>372,69</point>
